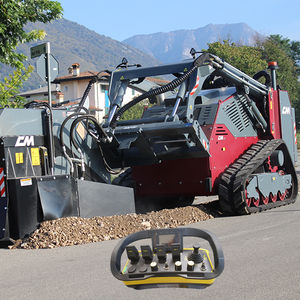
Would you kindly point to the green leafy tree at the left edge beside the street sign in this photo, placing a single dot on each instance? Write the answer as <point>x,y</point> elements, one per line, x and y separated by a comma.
<point>15,14</point>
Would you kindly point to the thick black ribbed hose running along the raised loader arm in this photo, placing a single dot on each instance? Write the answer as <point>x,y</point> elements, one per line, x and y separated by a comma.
<point>160,90</point>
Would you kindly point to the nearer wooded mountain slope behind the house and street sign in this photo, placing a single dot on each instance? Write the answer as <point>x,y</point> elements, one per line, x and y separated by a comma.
<point>73,43</point>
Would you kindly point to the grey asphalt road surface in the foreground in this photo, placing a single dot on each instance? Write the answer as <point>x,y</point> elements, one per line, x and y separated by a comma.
<point>262,261</point>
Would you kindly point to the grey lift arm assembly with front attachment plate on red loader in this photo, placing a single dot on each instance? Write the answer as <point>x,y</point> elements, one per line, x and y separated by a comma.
<point>176,132</point>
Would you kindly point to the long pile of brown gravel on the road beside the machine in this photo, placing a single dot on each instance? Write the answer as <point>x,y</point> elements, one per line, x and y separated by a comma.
<point>74,230</point>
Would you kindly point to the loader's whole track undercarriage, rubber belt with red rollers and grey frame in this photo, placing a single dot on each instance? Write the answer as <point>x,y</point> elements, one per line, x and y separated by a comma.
<point>233,195</point>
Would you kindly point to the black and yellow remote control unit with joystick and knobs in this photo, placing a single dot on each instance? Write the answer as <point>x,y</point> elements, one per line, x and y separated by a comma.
<point>181,257</point>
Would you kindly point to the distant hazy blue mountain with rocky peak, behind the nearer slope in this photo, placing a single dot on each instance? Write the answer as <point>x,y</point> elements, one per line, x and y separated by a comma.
<point>174,46</point>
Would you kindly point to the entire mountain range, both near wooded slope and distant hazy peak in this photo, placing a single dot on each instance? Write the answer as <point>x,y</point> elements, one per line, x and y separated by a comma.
<point>74,43</point>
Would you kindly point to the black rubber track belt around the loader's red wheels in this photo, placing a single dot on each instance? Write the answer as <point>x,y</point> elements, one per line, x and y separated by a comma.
<point>232,183</point>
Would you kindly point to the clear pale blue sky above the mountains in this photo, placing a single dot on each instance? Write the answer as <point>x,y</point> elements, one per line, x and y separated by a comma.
<point>122,19</point>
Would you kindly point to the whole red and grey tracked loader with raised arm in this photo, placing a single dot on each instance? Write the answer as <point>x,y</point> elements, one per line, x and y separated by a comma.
<point>218,131</point>
